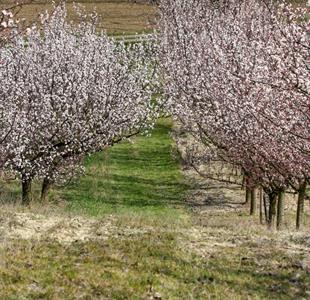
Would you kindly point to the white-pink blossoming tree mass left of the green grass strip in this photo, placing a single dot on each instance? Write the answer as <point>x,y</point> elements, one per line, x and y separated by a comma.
<point>67,91</point>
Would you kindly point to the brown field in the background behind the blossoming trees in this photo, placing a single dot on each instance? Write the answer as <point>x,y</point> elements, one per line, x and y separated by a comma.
<point>117,17</point>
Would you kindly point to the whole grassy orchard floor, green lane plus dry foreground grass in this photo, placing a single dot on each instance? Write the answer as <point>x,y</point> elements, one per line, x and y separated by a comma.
<point>140,226</point>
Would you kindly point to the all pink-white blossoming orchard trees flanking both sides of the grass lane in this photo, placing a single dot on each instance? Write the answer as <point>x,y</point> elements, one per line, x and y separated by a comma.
<point>234,73</point>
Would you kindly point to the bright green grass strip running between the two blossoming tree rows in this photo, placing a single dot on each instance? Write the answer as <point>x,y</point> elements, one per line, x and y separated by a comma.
<point>139,177</point>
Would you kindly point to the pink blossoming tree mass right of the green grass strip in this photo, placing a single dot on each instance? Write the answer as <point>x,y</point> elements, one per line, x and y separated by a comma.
<point>236,74</point>
